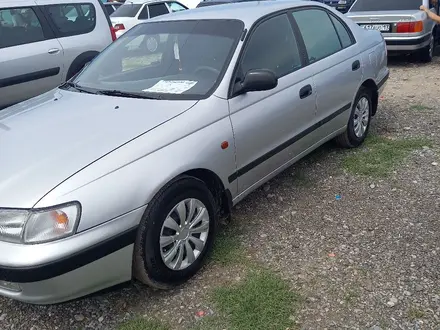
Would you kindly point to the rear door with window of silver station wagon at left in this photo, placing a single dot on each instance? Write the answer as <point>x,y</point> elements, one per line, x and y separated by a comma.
<point>30,55</point>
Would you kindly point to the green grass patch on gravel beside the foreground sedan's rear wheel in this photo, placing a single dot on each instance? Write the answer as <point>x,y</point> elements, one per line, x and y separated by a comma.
<point>381,155</point>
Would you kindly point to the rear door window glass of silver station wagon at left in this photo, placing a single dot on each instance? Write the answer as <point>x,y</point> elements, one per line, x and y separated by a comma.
<point>19,26</point>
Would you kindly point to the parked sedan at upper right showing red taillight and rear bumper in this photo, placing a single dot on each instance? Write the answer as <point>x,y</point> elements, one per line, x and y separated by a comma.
<point>406,29</point>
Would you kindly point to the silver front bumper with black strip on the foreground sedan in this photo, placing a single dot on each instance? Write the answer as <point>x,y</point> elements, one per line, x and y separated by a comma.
<point>58,271</point>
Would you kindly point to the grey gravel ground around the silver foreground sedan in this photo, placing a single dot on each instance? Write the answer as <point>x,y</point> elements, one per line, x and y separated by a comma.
<point>369,260</point>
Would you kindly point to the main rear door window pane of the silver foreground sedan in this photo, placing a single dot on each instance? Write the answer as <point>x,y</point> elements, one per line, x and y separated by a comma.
<point>318,32</point>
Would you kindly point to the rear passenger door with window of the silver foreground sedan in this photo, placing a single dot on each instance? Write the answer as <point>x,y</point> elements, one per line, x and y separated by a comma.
<point>335,60</point>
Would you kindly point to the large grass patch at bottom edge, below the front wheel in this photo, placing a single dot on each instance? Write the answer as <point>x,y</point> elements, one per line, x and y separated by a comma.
<point>262,302</point>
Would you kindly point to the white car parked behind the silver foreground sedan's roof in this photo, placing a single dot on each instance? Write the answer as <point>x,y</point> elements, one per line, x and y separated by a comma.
<point>134,12</point>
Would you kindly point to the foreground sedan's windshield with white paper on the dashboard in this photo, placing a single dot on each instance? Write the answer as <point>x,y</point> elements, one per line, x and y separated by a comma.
<point>167,60</point>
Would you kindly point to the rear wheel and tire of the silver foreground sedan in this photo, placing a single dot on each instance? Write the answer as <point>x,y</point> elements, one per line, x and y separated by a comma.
<point>359,121</point>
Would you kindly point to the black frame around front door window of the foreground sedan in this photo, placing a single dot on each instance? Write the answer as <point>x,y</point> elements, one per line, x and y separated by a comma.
<point>248,37</point>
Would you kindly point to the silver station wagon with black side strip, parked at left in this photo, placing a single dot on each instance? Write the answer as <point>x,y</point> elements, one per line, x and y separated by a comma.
<point>44,43</point>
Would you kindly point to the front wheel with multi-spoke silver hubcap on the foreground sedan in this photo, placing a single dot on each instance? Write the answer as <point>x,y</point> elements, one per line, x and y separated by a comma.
<point>154,263</point>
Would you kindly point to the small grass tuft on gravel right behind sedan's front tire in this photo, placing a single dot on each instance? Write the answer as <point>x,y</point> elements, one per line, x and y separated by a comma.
<point>227,248</point>
